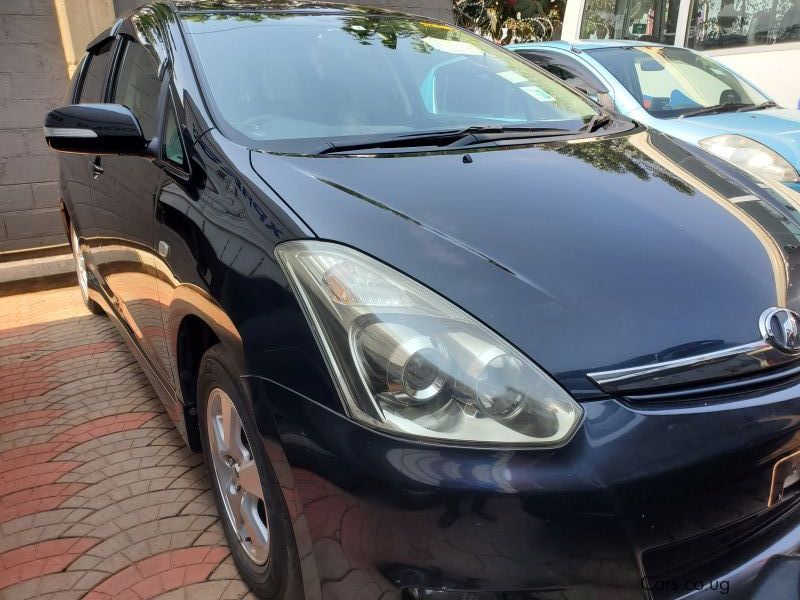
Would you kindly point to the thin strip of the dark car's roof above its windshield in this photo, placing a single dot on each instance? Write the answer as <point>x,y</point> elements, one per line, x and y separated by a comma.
<point>234,6</point>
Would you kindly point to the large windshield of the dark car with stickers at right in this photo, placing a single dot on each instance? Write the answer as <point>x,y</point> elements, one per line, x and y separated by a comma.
<point>292,77</point>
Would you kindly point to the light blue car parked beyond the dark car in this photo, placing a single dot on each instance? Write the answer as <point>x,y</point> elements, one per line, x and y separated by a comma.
<point>684,94</point>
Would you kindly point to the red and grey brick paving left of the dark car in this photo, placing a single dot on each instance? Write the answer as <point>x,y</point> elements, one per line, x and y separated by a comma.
<point>99,497</point>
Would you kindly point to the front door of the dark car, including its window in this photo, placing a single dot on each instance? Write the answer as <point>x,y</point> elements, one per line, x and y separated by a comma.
<point>124,188</point>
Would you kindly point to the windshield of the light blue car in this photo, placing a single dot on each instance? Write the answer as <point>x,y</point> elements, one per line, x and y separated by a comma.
<point>669,82</point>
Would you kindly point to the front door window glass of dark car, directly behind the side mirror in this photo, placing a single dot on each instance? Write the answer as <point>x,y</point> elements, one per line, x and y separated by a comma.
<point>138,87</point>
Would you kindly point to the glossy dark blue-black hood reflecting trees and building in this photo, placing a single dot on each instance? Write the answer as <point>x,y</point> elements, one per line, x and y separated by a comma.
<point>587,256</point>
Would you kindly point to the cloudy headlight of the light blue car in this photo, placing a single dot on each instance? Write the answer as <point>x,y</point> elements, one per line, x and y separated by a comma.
<point>751,155</point>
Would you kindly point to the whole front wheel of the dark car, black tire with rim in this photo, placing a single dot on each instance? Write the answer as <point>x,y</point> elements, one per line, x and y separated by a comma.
<point>238,472</point>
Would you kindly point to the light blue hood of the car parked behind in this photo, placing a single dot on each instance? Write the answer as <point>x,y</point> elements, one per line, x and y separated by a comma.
<point>776,128</point>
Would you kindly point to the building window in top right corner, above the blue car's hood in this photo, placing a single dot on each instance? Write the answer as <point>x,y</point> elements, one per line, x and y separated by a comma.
<point>736,23</point>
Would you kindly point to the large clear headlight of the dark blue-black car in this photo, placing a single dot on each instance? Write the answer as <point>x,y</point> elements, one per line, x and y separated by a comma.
<point>409,362</point>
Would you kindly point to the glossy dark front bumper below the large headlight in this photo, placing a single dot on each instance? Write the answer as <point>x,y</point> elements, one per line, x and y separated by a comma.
<point>662,502</point>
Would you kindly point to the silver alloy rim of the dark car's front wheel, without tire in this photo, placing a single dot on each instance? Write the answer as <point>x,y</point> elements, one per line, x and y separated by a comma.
<point>236,476</point>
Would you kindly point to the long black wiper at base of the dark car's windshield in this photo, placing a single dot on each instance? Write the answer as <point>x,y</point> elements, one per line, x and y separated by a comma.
<point>448,137</point>
